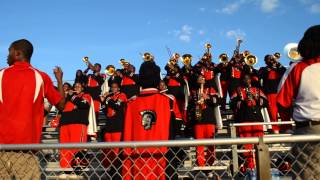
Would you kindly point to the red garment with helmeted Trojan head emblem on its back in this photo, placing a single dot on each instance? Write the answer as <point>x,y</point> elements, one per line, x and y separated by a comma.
<point>148,117</point>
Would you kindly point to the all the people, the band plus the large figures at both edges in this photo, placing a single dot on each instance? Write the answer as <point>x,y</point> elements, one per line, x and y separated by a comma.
<point>146,106</point>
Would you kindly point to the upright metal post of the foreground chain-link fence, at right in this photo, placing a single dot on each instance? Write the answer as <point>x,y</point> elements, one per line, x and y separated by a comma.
<point>262,160</point>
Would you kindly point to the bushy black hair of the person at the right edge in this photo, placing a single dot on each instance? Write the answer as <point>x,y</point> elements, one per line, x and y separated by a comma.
<point>309,45</point>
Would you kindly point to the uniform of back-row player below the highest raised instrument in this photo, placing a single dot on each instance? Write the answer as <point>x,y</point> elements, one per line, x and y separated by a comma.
<point>234,73</point>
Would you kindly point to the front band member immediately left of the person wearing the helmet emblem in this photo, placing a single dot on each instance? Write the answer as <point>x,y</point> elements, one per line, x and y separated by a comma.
<point>114,108</point>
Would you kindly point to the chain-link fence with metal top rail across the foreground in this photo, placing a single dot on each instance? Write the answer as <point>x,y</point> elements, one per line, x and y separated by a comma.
<point>289,157</point>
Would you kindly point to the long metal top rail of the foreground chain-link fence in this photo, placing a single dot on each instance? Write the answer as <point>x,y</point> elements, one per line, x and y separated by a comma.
<point>172,143</point>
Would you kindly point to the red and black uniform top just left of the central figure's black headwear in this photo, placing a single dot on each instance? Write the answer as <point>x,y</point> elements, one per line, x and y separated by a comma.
<point>130,83</point>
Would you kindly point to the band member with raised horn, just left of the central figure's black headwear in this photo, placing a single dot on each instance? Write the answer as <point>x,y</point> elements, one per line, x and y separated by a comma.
<point>129,83</point>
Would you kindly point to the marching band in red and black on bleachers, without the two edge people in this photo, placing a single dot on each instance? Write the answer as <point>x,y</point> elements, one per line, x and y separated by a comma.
<point>186,102</point>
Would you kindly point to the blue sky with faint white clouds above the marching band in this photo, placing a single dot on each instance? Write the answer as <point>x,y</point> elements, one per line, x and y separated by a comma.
<point>63,31</point>
